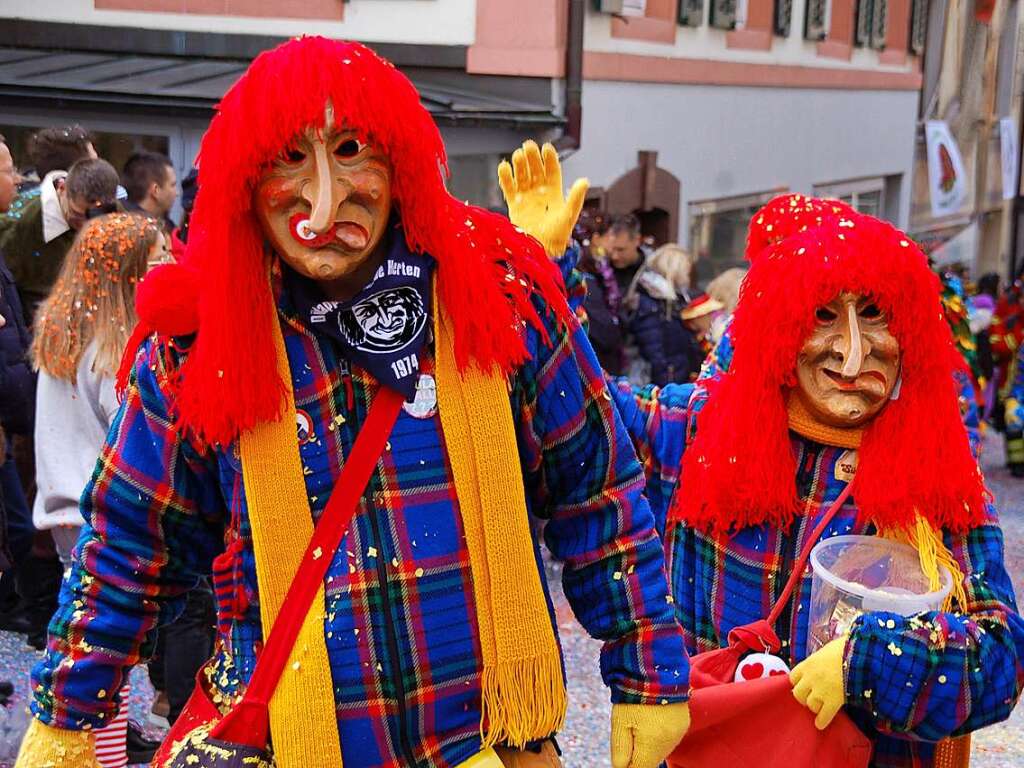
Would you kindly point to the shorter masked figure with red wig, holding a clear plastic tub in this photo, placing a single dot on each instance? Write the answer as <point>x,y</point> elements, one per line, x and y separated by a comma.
<point>834,394</point>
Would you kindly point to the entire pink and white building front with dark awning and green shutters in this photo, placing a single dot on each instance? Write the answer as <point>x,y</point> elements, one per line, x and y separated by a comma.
<point>695,112</point>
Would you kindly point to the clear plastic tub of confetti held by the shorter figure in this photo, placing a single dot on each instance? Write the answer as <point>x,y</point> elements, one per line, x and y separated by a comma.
<point>855,575</point>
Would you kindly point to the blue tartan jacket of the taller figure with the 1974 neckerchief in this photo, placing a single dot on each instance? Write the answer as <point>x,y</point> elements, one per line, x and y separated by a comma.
<point>401,627</point>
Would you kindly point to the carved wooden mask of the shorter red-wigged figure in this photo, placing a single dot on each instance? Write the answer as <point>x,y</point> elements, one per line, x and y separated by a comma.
<point>849,365</point>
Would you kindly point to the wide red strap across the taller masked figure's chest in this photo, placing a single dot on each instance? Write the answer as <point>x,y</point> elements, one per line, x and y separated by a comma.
<point>327,538</point>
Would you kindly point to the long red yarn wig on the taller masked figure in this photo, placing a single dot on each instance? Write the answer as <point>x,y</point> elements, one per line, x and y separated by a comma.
<point>228,383</point>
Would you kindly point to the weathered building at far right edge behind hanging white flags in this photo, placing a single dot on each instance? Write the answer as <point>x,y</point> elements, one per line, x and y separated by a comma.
<point>973,82</point>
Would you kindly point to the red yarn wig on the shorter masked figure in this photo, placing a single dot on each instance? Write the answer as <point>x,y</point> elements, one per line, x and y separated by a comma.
<point>915,455</point>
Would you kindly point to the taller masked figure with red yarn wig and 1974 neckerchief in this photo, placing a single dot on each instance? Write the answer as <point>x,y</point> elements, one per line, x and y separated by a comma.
<point>339,314</point>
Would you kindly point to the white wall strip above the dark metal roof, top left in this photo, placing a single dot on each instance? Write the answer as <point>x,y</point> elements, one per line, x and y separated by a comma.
<point>437,22</point>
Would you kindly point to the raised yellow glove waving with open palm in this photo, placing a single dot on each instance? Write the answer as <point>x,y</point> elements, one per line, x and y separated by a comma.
<point>534,195</point>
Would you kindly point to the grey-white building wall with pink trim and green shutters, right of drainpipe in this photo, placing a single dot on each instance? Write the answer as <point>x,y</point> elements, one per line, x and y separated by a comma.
<point>743,100</point>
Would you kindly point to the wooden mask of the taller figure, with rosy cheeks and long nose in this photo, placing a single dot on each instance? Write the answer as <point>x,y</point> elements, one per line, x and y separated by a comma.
<point>324,206</point>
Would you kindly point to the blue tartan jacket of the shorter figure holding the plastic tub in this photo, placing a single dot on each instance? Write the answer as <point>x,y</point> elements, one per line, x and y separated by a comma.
<point>910,682</point>
